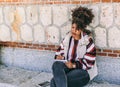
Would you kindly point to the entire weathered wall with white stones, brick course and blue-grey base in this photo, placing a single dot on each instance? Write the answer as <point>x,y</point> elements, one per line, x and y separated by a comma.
<point>41,27</point>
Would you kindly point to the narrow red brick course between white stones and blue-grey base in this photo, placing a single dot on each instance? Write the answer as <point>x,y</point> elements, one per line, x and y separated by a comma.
<point>100,52</point>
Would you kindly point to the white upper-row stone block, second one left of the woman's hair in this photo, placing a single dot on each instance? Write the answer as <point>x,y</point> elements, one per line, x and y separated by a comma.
<point>45,15</point>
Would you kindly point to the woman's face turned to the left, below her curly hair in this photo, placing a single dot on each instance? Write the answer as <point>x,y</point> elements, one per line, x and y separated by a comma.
<point>76,33</point>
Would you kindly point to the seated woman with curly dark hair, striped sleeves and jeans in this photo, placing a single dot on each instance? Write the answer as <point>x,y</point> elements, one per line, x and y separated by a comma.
<point>78,50</point>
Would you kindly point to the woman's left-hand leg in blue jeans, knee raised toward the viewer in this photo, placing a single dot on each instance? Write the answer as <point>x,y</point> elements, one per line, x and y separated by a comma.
<point>59,74</point>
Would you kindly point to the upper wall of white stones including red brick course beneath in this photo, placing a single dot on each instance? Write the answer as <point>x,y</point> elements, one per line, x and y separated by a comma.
<point>42,27</point>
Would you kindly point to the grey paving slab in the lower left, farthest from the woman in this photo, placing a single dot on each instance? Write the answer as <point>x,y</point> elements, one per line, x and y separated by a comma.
<point>15,76</point>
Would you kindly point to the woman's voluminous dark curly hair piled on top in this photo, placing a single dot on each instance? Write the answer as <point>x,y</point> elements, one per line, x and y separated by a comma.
<point>82,17</point>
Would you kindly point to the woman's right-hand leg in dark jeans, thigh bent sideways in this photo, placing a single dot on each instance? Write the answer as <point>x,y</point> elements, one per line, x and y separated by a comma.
<point>77,78</point>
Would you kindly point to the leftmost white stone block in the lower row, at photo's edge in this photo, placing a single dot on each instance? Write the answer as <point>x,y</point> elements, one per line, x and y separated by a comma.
<point>4,33</point>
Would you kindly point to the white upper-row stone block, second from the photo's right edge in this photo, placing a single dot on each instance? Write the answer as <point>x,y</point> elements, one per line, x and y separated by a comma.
<point>106,15</point>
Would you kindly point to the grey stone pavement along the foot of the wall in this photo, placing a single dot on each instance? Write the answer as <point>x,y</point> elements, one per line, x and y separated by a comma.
<point>17,77</point>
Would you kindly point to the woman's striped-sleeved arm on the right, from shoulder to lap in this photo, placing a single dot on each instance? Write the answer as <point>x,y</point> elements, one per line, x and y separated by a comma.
<point>88,60</point>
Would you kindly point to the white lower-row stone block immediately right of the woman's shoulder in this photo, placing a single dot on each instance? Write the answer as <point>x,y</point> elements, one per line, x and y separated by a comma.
<point>100,37</point>
